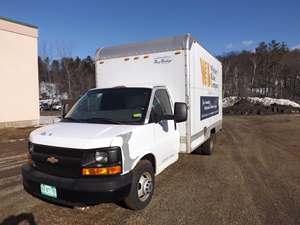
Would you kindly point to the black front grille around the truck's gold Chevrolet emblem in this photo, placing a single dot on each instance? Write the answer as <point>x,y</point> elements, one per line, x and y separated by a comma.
<point>68,162</point>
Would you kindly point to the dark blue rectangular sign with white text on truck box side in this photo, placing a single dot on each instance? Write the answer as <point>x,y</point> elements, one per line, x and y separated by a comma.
<point>209,106</point>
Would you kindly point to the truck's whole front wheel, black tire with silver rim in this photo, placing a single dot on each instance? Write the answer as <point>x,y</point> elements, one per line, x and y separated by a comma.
<point>142,186</point>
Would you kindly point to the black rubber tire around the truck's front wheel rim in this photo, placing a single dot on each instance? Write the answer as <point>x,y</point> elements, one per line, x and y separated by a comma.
<point>133,201</point>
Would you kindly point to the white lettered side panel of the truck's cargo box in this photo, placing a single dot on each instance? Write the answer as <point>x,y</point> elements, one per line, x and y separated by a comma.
<point>206,95</point>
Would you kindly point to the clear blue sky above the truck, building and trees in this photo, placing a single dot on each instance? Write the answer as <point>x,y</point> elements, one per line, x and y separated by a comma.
<point>80,27</point>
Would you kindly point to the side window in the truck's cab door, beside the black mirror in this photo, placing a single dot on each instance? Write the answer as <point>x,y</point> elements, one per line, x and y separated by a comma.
<point>161,105</point>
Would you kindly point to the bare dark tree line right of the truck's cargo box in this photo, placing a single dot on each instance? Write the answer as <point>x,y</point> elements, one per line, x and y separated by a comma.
<point>272,70</point>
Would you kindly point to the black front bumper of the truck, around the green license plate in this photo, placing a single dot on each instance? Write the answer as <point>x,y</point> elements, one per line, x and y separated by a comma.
<point>77,191</point>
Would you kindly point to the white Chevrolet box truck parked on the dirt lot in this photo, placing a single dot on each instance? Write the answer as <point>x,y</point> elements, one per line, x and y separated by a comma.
<point>153,100</point>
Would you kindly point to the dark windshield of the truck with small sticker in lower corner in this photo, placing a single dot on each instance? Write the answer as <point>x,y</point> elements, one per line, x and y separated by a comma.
<point>111,106</point>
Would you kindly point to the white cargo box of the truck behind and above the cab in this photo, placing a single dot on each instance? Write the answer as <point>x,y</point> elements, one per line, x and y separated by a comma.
<point>189,71</point>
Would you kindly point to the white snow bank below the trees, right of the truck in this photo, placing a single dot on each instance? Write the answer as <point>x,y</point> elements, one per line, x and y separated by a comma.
<point>266,101</point>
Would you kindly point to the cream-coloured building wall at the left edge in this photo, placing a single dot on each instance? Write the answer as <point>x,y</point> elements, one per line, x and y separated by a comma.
<point>19,91</point>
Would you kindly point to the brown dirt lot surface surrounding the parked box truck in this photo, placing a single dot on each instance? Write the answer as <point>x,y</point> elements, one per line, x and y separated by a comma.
<point>252,178</point>
